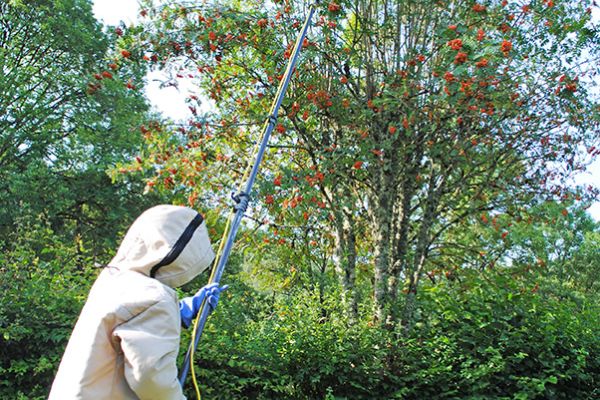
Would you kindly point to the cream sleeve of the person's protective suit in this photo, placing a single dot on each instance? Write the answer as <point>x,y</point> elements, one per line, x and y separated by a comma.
<point>150,343</point>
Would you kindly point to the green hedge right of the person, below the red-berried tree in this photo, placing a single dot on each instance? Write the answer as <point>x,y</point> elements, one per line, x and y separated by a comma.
<point>485,338</point>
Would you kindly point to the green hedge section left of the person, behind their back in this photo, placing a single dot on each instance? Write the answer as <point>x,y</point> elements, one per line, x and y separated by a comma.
<point>42,294</point>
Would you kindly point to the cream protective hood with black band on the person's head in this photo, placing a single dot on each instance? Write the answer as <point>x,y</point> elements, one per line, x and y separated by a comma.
<point>169,243</point>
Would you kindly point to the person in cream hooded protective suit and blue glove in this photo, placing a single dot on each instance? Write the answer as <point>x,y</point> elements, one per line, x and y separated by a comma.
<point>126,340</point>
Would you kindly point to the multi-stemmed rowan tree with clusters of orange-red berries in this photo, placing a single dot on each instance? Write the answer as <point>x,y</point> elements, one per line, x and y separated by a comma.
<point>403,120</point>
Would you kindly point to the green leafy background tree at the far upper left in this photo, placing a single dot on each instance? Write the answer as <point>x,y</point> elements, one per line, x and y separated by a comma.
<point>59,132</point>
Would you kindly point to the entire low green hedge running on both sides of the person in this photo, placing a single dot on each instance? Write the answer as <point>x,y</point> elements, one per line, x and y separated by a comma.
<point>487,336</point>
